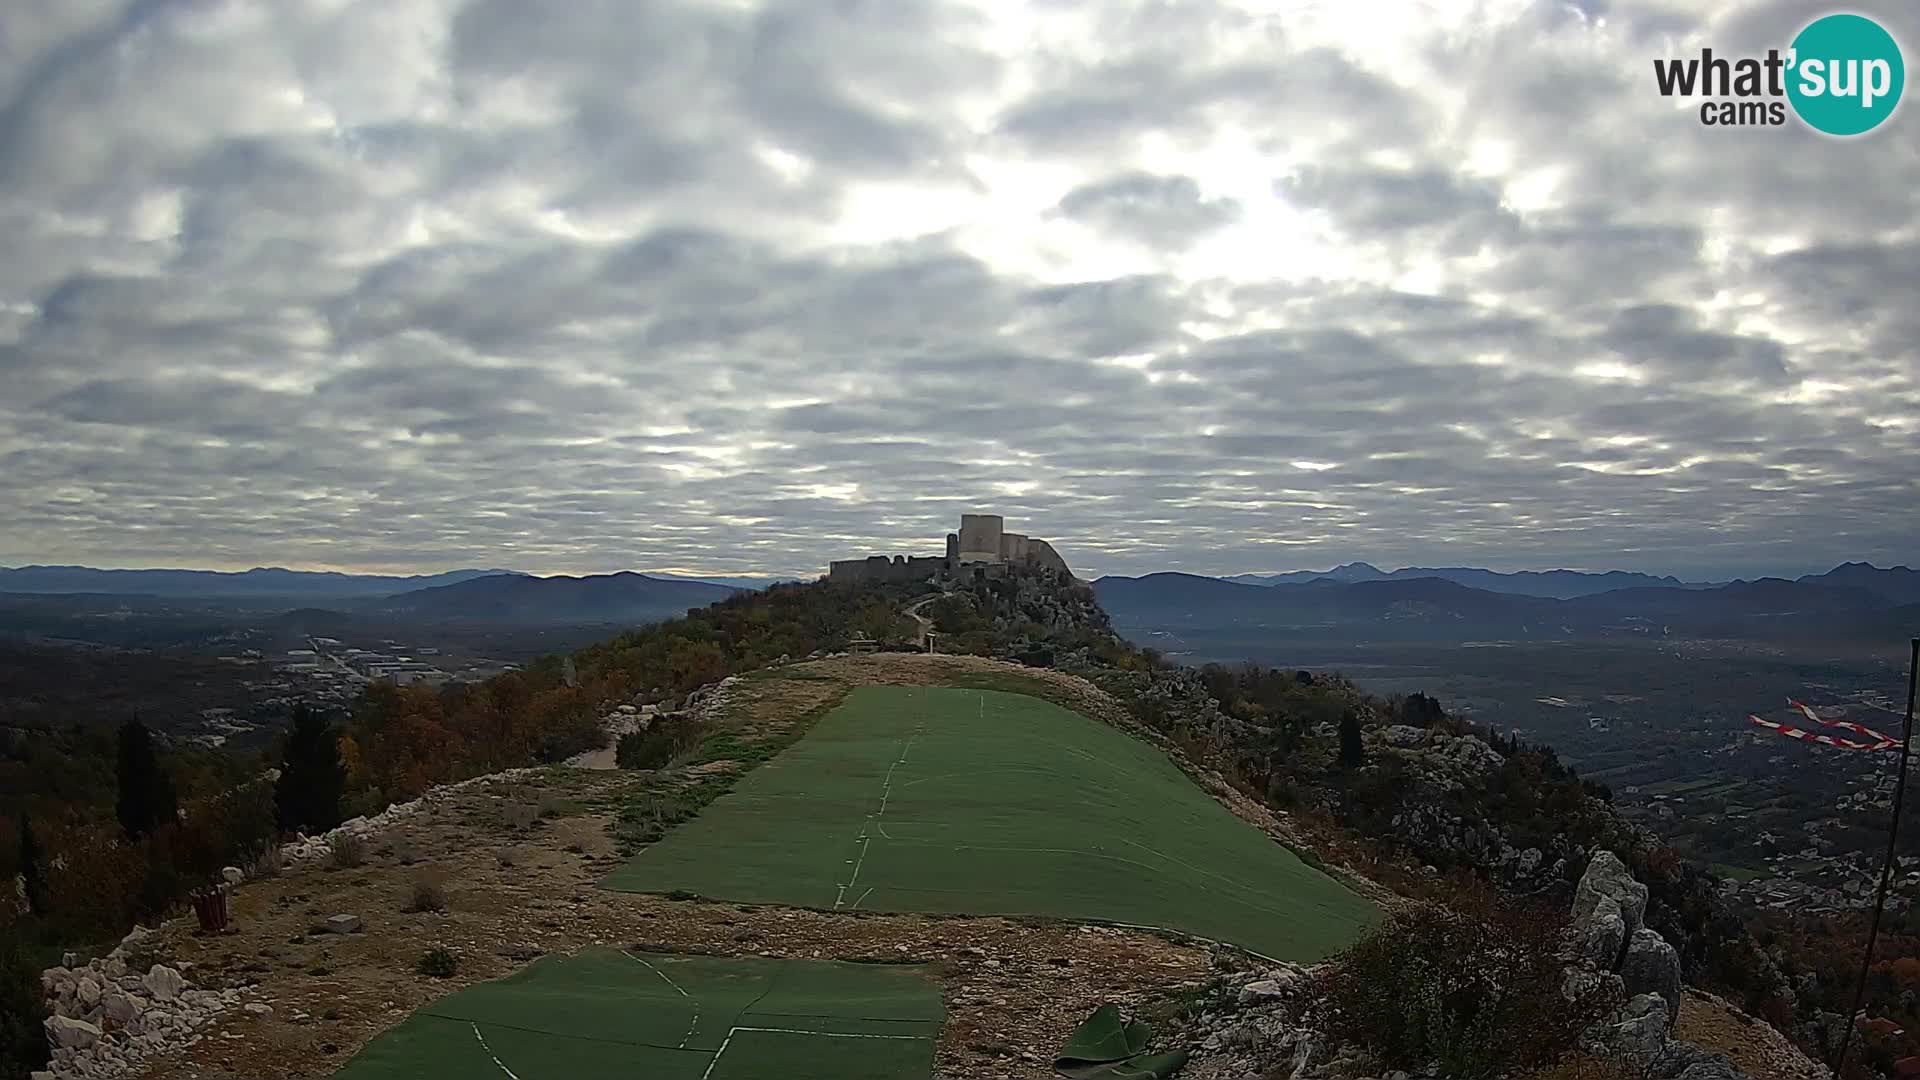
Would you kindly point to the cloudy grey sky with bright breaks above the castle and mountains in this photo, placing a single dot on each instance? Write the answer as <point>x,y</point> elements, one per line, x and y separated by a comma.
<point>725,287</point>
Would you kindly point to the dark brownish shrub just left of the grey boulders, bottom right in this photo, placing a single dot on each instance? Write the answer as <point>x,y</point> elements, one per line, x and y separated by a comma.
<point>1474,985</point>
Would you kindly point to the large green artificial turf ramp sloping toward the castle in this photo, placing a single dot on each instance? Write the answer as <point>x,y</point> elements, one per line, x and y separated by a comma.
<point>980,802</point>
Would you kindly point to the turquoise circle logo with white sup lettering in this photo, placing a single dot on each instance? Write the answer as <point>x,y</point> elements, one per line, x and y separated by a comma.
<point>1846,74</point>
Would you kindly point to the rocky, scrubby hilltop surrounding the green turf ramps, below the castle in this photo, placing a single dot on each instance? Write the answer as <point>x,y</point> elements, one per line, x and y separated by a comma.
<point>1529,925</point>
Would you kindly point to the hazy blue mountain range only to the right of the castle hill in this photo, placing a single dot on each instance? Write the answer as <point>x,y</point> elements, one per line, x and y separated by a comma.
<point>1852,601</point>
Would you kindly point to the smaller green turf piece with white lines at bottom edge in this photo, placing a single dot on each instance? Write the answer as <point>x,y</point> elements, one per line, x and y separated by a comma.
<point>621,1016</point>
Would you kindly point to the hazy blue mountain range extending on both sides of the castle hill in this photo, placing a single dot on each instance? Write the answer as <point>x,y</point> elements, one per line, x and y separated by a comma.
<point>1353,602</point>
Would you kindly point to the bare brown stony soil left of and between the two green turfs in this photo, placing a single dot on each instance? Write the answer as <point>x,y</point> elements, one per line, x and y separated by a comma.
<point>517,864</point>
